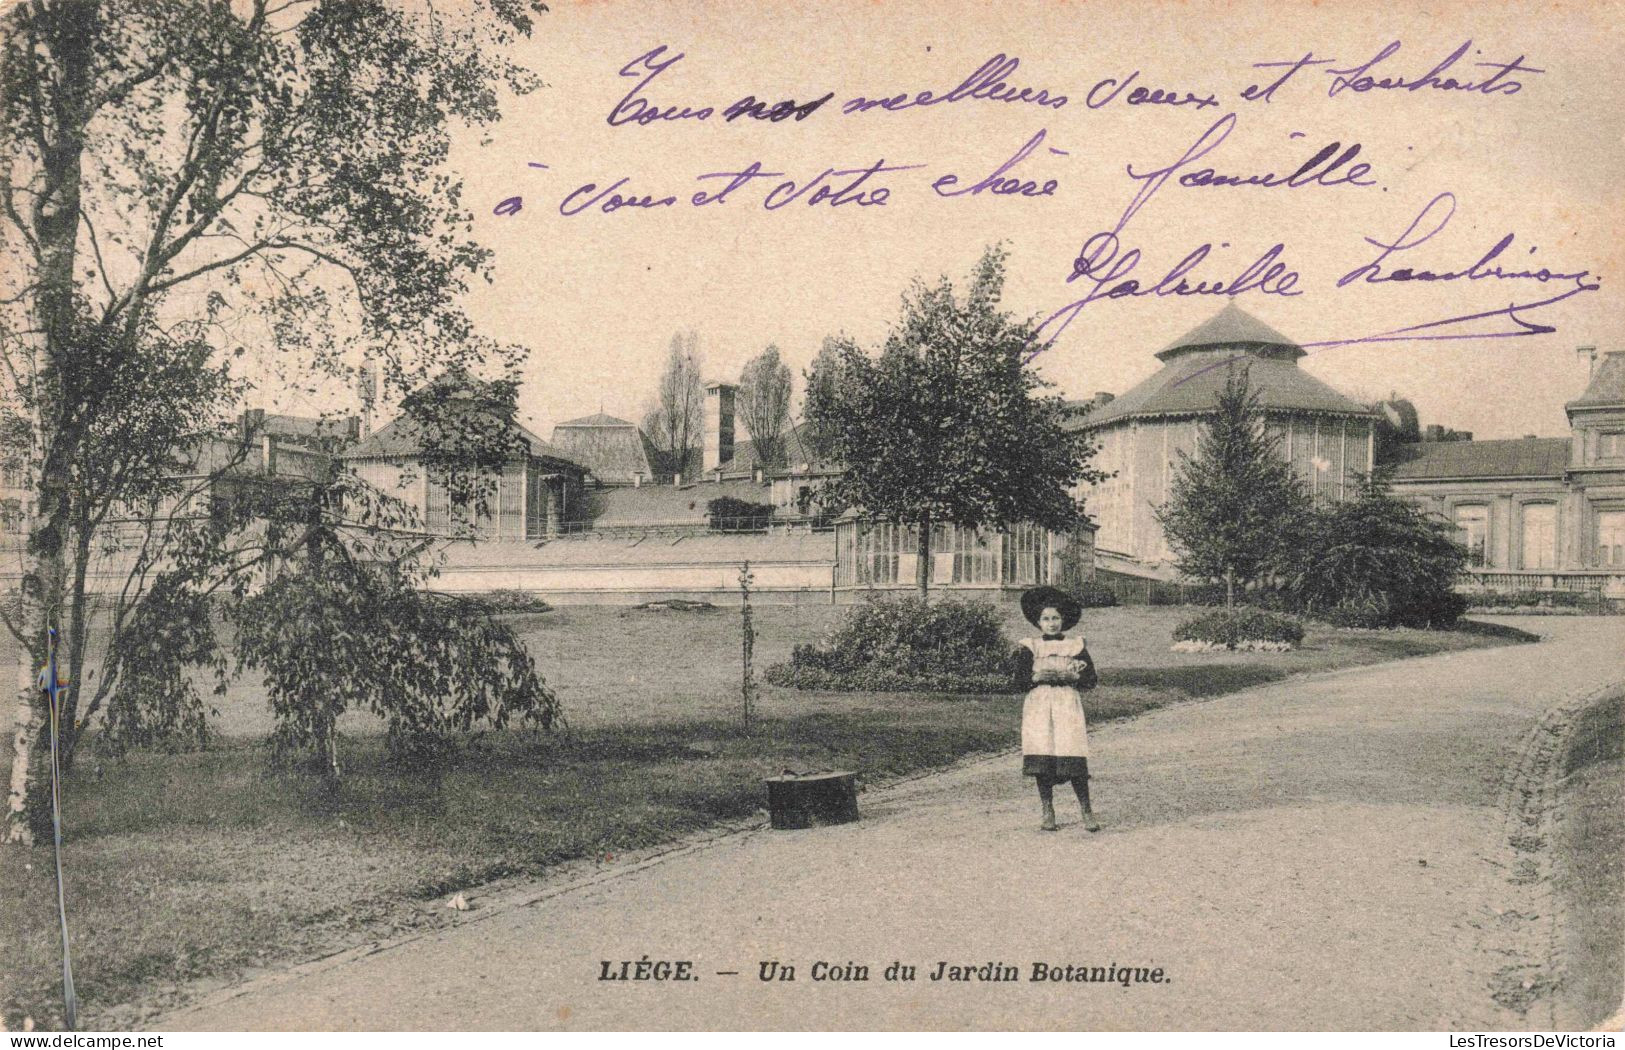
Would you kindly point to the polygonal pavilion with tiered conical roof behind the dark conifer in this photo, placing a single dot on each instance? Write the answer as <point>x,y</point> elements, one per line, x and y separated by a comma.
<point>1142,436</point>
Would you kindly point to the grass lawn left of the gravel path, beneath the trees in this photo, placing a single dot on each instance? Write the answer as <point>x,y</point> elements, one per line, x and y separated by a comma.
<point>210,866</point>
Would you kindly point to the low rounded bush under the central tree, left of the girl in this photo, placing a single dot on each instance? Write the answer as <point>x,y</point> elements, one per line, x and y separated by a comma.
<point>906,646</point>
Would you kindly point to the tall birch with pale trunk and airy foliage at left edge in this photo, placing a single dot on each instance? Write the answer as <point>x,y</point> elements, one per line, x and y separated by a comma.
<point>206,176</point>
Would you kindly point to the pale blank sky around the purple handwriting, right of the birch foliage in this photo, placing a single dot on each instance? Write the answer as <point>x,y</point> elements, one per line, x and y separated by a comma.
<point>597,297</point>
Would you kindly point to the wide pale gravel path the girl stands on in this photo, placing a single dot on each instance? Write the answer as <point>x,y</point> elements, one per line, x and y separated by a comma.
<point>1354,851</point>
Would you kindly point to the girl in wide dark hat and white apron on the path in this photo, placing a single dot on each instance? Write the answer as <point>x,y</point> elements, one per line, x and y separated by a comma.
<point>1054,669</point>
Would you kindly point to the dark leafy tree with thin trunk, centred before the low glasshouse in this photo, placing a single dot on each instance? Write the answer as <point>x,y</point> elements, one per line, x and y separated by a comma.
<point>947,423</point>
